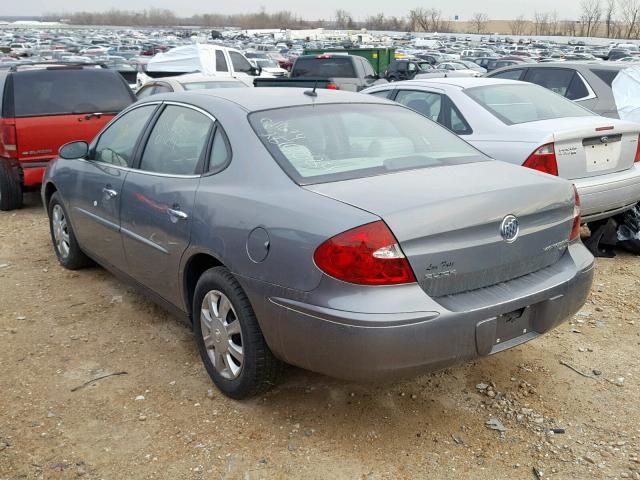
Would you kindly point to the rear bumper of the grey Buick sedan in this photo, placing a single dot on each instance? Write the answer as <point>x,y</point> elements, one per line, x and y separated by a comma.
<point>372,346</point>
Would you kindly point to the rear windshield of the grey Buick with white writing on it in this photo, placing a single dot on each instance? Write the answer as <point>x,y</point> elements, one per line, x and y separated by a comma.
<point>324,143</point>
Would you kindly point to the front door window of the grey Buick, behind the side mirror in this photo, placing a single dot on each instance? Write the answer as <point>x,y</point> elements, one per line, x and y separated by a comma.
<point>117,144</point>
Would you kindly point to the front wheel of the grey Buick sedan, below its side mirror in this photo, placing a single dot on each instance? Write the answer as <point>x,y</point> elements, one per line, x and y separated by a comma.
<point>64,240</point>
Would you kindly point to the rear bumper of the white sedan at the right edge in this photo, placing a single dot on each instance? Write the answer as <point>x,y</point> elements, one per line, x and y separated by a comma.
<point>607,195</point>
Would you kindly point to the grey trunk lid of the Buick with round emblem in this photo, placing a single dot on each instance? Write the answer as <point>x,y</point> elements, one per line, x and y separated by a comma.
<point>448,220</point>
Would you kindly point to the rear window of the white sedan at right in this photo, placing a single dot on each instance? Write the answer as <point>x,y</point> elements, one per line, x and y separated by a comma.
<point>513,104</point>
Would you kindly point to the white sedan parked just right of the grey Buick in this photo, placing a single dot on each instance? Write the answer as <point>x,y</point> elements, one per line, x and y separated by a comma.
<point>528,125</point>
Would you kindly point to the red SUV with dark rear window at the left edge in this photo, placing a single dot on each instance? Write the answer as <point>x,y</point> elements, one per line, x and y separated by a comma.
<point>44,106</point>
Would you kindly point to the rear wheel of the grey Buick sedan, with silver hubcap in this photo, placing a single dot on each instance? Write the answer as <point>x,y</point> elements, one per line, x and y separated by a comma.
<point>229,338</point>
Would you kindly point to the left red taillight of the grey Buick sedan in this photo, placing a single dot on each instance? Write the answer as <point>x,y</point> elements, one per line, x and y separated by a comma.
<point>366,255</point>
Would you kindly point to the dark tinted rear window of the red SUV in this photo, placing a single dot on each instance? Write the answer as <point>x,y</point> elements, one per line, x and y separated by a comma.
<point>66,91</point>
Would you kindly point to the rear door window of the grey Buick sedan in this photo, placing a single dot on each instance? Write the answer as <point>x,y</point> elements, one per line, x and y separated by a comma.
<point>177,142</point>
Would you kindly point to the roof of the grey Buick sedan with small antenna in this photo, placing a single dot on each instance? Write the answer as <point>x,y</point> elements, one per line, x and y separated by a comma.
<point>265,98</point>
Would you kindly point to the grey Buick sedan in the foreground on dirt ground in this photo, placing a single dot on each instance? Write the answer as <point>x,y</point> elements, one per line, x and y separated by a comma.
<point>341,233</point>
